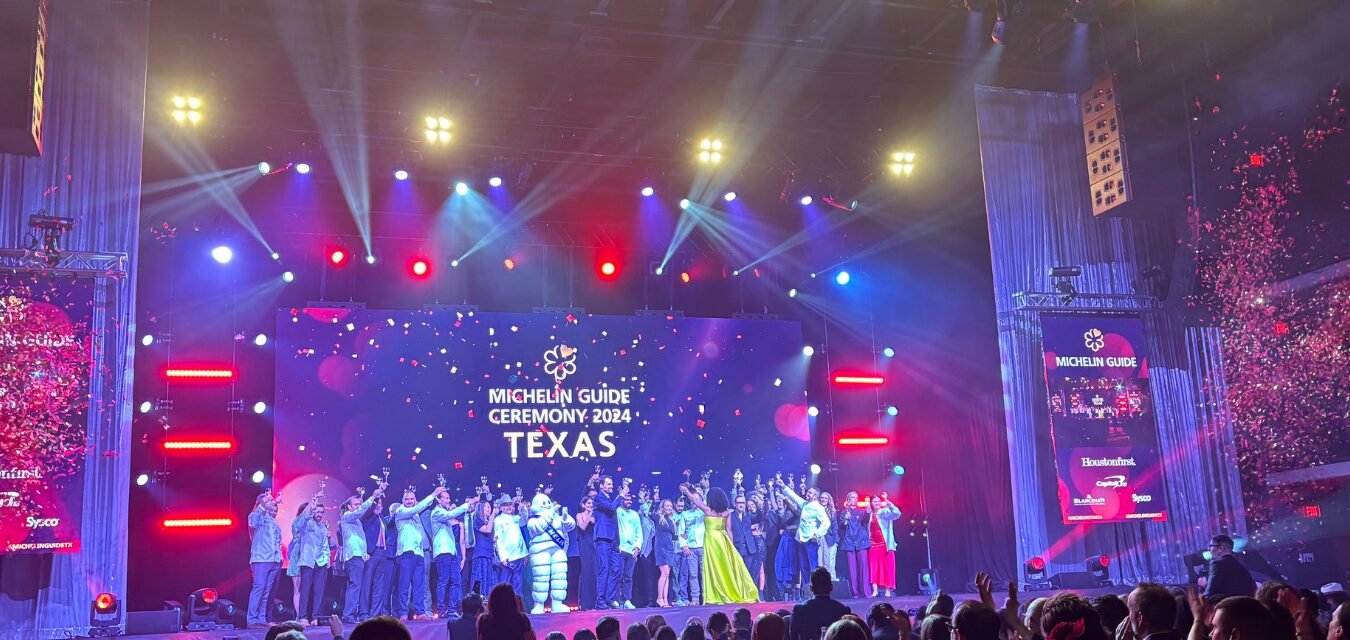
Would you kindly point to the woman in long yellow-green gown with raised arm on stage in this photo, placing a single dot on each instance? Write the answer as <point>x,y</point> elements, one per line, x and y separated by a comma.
<point>726,579</point>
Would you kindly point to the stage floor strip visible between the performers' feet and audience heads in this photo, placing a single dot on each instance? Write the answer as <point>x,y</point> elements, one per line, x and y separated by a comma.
<point>569,623</point>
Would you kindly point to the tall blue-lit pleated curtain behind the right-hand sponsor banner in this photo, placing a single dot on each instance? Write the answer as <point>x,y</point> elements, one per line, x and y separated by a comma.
<point>1039,217</point>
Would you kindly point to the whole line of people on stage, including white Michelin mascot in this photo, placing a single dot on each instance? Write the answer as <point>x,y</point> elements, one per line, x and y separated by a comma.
<point>620,550</point>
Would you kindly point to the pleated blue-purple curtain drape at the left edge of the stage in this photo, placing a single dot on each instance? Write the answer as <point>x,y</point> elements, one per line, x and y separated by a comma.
<point>90,171</point>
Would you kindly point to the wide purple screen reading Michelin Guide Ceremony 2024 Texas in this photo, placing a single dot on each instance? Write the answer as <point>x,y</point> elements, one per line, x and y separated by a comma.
<point>529,399</point>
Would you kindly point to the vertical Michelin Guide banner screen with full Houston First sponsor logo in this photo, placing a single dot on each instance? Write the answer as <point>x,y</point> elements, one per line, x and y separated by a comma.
<point>1102,423</point>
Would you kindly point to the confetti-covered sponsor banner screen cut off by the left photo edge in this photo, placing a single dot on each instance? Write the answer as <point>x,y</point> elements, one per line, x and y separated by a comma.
<point>45,365</point>
